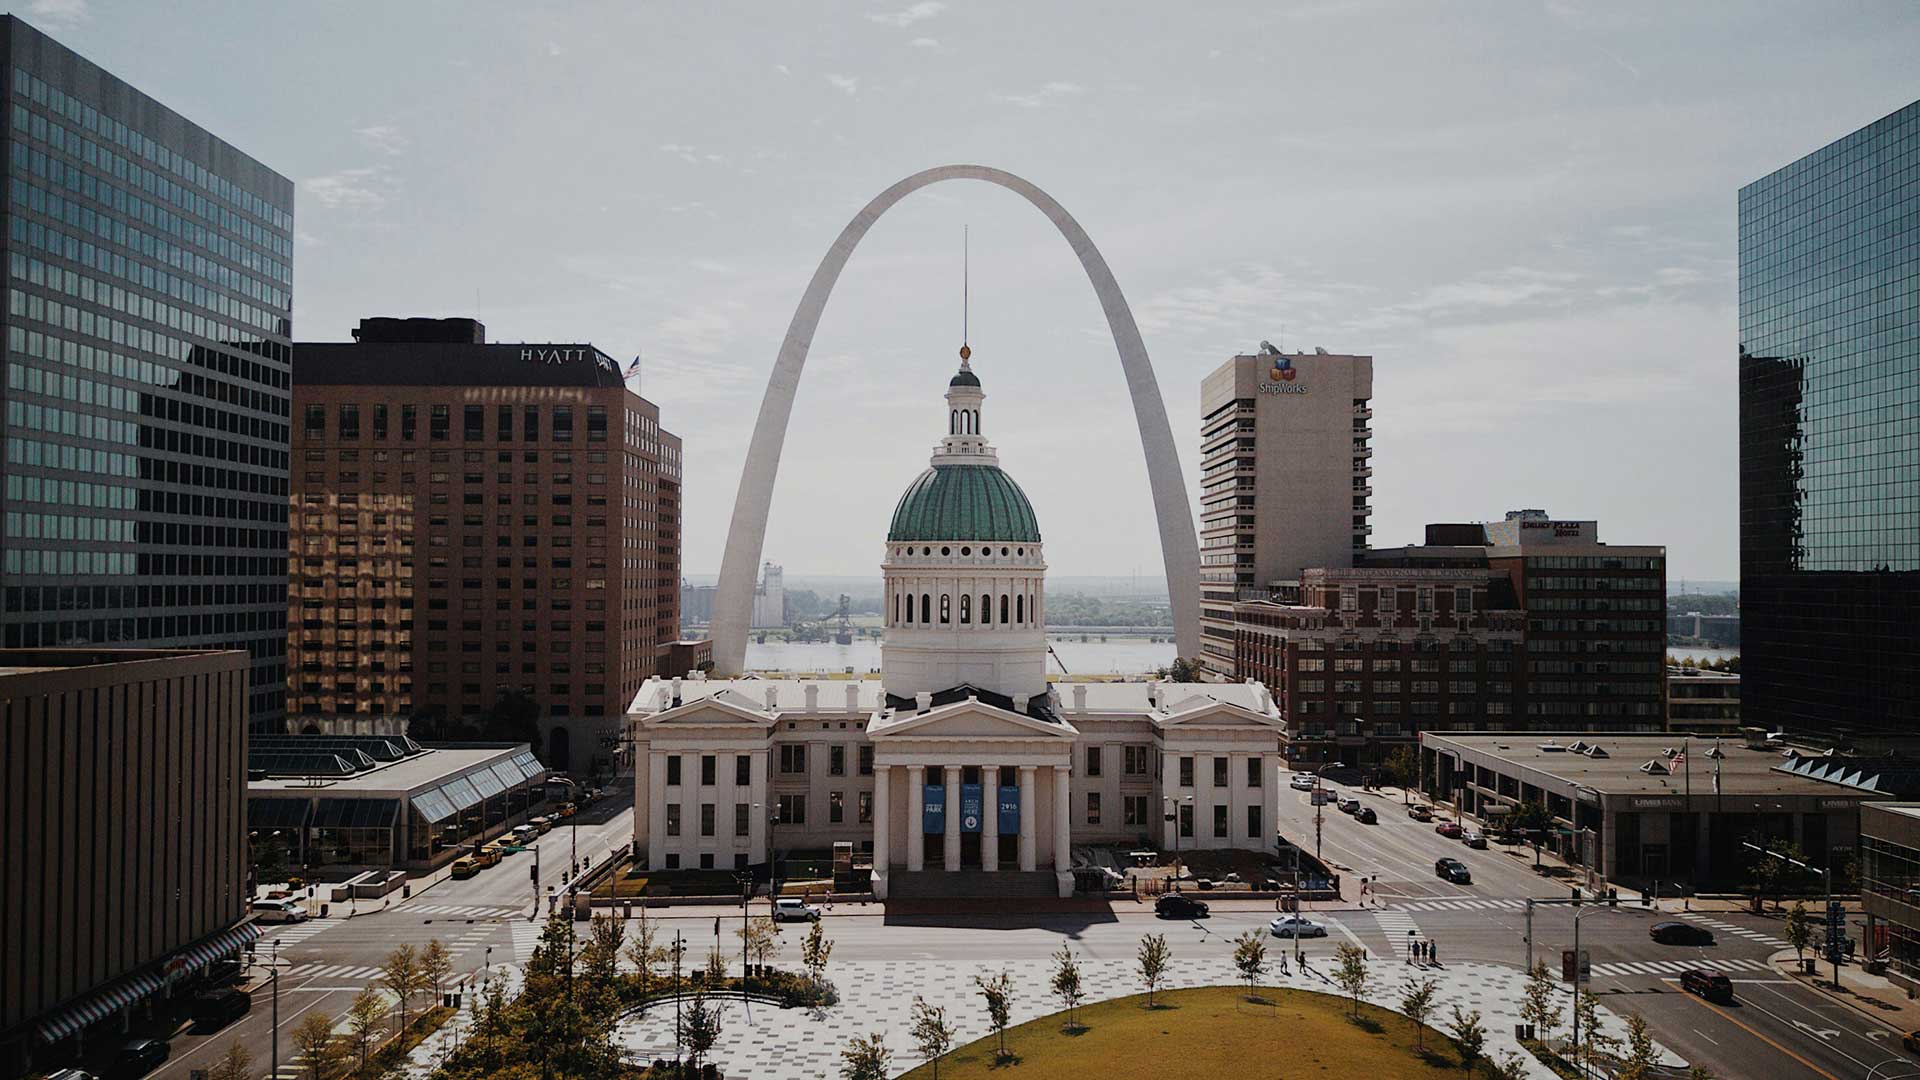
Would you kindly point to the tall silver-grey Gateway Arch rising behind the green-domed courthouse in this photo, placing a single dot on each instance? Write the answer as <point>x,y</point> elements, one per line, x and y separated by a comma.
<point>748,533</point>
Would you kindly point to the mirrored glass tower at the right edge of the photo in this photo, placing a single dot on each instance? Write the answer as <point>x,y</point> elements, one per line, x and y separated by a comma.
<point>1831,437</point>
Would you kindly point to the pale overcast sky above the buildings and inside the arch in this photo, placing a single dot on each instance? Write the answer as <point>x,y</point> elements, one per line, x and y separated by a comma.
<point>1524,212</point>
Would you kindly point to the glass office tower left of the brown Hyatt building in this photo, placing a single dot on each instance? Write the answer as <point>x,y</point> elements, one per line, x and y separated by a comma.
<point>147,374</point>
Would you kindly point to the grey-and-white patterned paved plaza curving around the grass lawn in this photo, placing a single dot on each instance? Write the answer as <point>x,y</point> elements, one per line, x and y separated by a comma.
<point>800,1044</point>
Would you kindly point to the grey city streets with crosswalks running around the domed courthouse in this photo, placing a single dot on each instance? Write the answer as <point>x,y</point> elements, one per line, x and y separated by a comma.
<point>1775,1027</point>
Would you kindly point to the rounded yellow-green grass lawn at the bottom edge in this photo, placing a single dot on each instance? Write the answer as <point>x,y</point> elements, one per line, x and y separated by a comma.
<point>1211,1033</point>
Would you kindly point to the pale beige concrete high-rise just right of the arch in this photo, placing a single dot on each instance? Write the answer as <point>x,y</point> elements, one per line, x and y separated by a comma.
<point>1285,479</point>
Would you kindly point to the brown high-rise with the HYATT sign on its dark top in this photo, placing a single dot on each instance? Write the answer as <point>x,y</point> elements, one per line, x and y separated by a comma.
<point>475,522</point>
